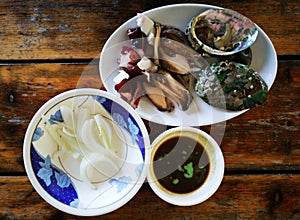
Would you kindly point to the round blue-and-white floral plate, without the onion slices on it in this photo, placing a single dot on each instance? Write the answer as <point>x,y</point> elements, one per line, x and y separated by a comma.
<point>56,174</point>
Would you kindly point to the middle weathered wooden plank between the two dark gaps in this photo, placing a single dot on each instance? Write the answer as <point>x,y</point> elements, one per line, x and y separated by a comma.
<point>262,138</point>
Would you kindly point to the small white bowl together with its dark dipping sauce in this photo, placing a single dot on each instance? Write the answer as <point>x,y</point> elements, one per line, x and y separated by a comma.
<point>186,166</point>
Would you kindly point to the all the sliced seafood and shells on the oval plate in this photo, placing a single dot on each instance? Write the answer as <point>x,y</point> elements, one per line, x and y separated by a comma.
<point>165,59</point>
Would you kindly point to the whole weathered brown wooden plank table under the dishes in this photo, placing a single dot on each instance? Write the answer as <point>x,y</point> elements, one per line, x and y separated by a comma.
<point>46,46</point>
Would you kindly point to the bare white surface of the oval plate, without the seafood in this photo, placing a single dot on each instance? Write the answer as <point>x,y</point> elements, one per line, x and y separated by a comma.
<point>199,113</point>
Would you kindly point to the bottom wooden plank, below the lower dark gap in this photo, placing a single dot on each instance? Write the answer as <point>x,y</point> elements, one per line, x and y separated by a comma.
<point>239,197</point>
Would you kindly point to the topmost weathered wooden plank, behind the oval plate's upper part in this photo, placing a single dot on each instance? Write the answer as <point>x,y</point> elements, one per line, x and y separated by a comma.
<point>79,29</point>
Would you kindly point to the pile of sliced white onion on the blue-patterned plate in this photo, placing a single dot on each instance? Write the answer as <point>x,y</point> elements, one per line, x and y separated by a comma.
<point>87,137</point>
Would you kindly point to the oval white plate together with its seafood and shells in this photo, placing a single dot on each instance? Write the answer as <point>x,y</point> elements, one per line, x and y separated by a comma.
<point>189,64</point>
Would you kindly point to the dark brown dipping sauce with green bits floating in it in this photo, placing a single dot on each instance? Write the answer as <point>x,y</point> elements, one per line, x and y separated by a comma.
<point>181,164</point>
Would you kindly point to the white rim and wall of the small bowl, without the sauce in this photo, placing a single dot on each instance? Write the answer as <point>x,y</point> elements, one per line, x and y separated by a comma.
<point>215,171</point>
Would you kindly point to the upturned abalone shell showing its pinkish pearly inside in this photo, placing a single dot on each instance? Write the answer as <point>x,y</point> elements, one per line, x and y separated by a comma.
<point>221,32</point>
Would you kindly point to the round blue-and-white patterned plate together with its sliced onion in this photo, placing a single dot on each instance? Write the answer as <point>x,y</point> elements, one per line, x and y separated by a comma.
<point>74,176</point>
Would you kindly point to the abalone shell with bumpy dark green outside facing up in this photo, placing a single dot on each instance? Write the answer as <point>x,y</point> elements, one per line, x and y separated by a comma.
<point>232,86</point>
